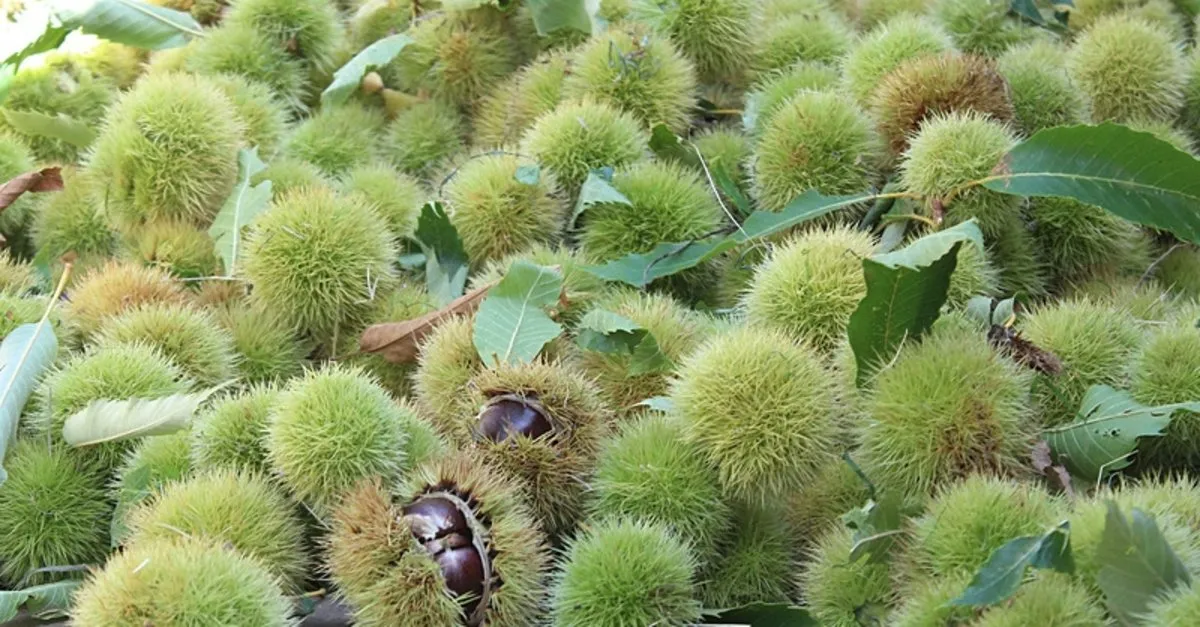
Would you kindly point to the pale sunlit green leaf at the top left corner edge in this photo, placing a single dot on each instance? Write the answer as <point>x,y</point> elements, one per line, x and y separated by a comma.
<point>134,23</point>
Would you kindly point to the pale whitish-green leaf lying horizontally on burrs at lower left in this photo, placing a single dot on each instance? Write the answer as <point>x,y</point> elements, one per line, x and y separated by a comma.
<point>113,421</point>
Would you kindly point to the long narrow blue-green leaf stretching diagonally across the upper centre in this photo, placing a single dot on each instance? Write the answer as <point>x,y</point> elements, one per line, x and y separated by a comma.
<point>668,259</point>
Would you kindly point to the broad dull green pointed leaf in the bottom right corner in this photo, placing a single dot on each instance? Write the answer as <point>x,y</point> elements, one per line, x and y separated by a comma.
<point>1137,565</point>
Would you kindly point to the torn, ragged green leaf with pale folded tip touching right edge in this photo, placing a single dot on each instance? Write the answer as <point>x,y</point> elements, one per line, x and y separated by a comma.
<point>1105,435</point>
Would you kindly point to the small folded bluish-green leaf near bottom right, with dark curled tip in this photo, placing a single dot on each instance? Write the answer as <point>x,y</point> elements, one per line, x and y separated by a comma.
<point>1000,577</point>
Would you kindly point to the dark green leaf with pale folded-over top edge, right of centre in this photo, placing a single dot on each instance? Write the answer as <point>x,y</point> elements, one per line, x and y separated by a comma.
<point>905,294</point>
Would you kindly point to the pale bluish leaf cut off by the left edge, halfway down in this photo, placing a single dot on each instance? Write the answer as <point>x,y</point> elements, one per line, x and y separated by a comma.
<point>26,355</point>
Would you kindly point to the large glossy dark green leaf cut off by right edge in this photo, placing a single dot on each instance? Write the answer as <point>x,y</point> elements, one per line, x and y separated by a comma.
<point>1131,174</point>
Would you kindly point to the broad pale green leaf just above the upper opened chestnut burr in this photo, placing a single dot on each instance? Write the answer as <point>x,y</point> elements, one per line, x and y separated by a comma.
<point>512,325</point>
